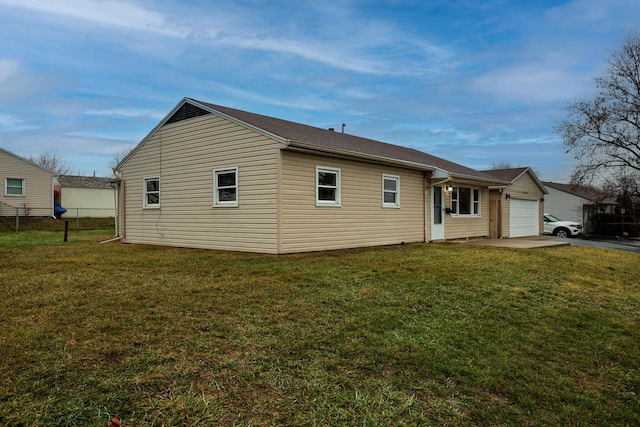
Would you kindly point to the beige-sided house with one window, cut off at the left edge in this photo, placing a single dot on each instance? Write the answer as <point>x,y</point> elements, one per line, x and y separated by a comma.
<point>26,187</point>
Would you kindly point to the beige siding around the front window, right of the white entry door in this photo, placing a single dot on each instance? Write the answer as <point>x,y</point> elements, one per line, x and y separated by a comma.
<point>461,227</point>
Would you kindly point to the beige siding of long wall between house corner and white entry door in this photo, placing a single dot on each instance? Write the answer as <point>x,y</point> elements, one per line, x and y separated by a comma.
<point>360,220</point>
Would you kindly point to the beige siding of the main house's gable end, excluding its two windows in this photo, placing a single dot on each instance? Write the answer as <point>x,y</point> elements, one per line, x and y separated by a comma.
<point>184,155</point>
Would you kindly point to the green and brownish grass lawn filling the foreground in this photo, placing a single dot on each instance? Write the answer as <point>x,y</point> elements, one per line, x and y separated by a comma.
<point>426,334</point>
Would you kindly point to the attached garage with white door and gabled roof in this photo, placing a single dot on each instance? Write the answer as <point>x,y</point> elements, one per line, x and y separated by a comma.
<point>516,209</point>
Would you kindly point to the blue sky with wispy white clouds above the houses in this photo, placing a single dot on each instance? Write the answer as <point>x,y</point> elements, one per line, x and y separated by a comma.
<point>474,81</point>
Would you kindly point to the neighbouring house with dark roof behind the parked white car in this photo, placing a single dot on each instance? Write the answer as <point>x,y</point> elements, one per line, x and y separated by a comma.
<point>575,203</point>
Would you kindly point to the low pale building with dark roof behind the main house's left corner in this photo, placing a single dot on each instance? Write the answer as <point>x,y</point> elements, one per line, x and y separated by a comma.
<point>86,196</point>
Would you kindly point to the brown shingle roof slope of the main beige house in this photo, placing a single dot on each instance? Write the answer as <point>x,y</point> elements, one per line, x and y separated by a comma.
<point>330,140</point>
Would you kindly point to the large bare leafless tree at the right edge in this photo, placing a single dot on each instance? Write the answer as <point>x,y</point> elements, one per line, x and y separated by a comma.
<point>603,133</point>
